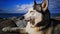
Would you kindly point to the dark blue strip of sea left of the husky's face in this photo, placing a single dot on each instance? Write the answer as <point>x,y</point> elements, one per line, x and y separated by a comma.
<point>7,15</point>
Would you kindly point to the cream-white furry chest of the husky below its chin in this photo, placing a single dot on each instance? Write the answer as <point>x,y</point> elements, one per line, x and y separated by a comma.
<point>31,30</point>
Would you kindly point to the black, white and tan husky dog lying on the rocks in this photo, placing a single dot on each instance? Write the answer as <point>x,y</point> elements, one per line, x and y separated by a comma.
<point>39,21</point>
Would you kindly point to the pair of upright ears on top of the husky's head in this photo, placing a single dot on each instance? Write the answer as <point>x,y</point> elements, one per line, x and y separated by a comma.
<point>42,6</point>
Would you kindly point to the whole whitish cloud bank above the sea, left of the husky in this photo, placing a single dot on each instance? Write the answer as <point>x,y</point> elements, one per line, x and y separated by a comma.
<point>18,9</point>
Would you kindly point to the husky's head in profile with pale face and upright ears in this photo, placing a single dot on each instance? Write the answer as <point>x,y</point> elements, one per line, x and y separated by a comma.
<point>37,12</point>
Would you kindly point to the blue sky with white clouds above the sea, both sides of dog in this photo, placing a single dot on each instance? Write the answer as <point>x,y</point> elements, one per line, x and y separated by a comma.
<point>21,6</point>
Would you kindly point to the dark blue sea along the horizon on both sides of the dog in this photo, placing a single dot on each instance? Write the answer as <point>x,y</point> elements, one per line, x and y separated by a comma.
<point>7,15</point>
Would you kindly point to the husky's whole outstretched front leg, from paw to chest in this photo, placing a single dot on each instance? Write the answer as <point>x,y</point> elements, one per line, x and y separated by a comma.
<point>17,29</point>
